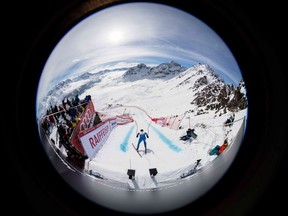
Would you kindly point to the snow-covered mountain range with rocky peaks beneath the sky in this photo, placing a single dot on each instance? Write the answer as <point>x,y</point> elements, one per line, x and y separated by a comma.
<point>198,89</point>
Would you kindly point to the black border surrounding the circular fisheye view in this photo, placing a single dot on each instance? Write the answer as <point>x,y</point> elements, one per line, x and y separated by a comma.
<point>253,181</point>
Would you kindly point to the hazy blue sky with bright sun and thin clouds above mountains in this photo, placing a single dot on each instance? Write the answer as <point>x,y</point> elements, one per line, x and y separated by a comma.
<point>137,33</point>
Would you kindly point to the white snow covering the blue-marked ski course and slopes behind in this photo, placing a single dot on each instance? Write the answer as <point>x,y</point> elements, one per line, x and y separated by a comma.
<point>141,100</point>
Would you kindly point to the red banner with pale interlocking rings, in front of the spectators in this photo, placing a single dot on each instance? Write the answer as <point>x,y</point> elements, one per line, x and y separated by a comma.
<point>84,123</point>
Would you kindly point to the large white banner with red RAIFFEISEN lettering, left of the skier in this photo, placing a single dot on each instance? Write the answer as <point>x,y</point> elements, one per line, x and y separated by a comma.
<point>93,138</point>
